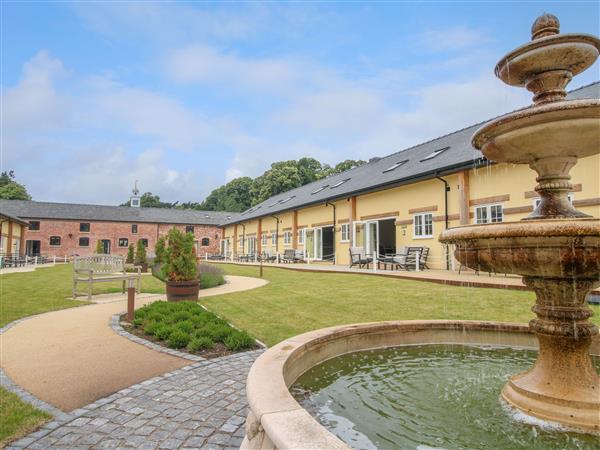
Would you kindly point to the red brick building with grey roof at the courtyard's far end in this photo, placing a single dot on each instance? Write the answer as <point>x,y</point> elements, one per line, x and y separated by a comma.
<point>66,229</point>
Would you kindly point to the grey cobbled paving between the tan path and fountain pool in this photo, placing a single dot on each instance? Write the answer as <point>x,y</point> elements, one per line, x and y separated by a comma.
<point>200,406</point>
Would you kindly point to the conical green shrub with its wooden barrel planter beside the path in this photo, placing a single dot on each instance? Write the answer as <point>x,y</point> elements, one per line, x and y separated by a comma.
<point>179,270</point>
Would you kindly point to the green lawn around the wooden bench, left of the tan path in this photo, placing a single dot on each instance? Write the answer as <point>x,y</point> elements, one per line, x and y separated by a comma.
<point>46,289</point>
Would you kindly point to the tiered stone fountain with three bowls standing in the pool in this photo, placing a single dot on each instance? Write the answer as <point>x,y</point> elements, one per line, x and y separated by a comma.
<point>556,248</point>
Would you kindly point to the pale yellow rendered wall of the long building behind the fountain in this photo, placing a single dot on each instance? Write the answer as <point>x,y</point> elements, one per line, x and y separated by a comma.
<point>512,185</point>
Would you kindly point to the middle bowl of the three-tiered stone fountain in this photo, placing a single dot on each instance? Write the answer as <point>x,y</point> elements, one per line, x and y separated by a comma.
<point>565,128</point>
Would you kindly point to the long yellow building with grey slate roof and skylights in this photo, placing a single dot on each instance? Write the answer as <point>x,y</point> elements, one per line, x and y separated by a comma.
<point>405,199</point>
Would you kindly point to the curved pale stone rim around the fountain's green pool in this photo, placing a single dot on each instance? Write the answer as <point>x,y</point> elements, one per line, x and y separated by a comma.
<point>276,420</point>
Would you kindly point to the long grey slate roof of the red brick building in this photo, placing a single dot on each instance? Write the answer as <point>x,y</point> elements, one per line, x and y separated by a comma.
<point>47,210</point>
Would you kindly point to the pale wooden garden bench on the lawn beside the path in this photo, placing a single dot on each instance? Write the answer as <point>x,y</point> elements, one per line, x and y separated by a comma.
<point>102,268</point>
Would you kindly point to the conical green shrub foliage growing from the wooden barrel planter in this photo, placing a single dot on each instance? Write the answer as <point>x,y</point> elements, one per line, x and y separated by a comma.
<point>180,262</point>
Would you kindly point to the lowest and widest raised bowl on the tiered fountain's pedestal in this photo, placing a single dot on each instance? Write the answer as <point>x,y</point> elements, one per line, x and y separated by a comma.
<point>539,248</point>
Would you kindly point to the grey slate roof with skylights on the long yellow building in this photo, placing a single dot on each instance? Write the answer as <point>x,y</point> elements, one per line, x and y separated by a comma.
<point>456,152</point>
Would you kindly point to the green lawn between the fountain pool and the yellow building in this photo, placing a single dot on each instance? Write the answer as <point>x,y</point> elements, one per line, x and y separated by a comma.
<point>294,302</point>
